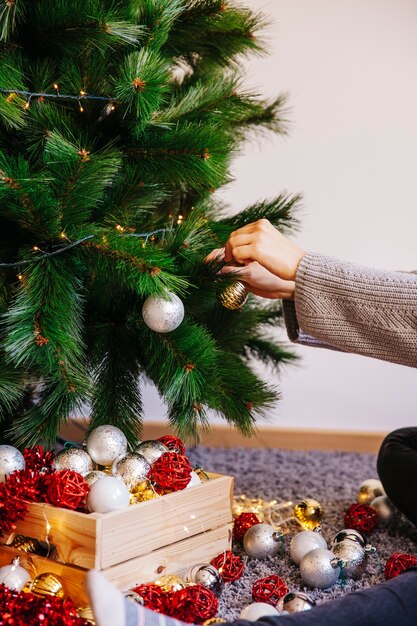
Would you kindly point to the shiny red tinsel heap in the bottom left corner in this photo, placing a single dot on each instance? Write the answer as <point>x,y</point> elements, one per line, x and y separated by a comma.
<point>20,608</point>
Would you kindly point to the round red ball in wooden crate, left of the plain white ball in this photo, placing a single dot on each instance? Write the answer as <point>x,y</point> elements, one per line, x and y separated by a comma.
<point>67,489</point>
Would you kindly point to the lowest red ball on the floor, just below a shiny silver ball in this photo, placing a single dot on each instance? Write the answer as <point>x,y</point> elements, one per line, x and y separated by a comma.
<point>193,604</point>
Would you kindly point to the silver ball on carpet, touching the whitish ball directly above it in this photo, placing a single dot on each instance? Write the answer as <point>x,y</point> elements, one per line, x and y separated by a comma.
<point>320,568</point>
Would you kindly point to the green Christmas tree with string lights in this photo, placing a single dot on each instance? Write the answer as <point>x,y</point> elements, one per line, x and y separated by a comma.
<point>119,120</point>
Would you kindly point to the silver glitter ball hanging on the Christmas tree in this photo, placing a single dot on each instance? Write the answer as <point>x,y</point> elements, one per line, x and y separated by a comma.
<point>163,313</point>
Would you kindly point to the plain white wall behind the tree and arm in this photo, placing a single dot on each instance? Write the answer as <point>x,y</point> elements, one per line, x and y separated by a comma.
<point>350,68</point>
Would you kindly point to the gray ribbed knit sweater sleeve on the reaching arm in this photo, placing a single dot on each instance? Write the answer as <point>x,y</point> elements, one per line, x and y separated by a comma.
<point>349,307</point>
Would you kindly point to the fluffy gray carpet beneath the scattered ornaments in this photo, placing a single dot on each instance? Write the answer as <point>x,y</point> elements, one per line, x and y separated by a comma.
<point>332,478</point>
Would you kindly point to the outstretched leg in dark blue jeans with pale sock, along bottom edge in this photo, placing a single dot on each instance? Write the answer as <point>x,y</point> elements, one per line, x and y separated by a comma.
<point>392,602</point>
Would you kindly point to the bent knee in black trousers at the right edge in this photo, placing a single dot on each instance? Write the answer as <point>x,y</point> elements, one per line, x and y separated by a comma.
<point>397,468</point>
